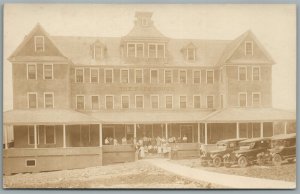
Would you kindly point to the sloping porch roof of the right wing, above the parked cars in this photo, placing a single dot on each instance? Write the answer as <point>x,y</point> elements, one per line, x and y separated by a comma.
<point>250,114</point>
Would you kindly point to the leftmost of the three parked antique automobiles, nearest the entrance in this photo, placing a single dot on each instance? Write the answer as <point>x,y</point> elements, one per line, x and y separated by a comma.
<point>215,156</point>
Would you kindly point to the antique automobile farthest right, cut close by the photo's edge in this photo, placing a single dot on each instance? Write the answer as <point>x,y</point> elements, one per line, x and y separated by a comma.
<point>283,148</point>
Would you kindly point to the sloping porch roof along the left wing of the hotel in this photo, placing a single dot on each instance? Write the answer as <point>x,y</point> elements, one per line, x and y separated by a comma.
<point>46,116</point>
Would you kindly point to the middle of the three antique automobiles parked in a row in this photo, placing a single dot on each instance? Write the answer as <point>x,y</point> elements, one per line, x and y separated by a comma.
<point>248,151</point>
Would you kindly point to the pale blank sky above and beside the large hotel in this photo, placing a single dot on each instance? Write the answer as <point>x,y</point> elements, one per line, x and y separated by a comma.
<point>273,25</point>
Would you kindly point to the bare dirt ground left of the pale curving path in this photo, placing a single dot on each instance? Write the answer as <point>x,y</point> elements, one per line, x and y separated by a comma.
<point>128,175</point>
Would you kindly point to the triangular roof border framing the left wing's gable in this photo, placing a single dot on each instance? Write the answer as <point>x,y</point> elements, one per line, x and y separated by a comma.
<point>15,57</point>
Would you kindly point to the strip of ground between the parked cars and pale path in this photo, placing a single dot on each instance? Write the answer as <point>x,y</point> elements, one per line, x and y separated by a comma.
<point>285,172</point>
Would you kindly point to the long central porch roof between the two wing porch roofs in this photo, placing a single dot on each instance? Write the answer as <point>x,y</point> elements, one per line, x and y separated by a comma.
<point>150,117</point>
